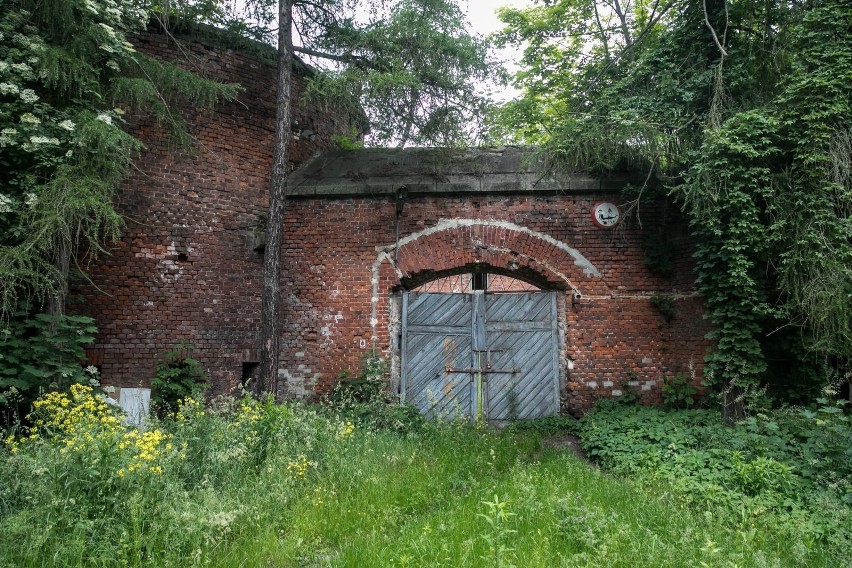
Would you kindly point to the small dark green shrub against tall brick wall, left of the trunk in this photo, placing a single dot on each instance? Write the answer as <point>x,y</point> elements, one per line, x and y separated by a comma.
<point>176,378</point>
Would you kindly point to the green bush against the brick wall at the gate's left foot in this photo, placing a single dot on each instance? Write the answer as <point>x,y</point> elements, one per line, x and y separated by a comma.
<point>367,400</point>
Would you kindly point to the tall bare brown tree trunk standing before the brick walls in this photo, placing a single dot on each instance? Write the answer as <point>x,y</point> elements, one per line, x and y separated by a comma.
<point>270,308</point>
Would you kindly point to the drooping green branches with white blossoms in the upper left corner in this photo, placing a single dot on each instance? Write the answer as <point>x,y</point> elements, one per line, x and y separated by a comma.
<point>67,75</point>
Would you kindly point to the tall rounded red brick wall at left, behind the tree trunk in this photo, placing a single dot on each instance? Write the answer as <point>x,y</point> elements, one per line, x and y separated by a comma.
<point>184,270</point>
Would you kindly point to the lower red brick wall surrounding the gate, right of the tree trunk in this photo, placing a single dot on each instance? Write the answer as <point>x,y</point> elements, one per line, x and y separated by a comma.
<point>614,337</point>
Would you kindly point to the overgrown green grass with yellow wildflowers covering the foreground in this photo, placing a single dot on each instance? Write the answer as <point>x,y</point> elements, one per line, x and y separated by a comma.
<point>251,484</point>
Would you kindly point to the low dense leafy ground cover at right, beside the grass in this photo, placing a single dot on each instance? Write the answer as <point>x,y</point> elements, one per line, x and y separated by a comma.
<point>790,471</point>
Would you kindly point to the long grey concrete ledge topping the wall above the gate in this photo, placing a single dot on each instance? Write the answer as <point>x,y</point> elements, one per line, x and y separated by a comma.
<point>383,171</point>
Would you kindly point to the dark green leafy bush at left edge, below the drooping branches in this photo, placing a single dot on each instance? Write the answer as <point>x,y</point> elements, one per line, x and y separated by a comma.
<point>39,353</point>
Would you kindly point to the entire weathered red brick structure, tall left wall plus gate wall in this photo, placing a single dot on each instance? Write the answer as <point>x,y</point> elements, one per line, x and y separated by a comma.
<point>185,270</point>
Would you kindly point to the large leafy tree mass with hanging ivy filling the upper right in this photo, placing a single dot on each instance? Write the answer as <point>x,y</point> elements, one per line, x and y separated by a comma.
<point>743,111</point>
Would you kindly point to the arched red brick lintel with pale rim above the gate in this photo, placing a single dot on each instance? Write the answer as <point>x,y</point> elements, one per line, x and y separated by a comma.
<point>459,245</point>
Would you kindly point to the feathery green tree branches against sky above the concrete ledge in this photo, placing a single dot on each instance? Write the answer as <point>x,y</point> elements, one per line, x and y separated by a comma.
<point>412,66</point>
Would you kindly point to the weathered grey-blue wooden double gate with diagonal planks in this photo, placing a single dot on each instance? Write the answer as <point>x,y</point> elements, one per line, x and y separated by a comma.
<point>493,356</point>
